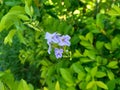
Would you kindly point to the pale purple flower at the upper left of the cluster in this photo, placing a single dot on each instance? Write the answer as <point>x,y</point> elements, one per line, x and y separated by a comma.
<point>52,38</point>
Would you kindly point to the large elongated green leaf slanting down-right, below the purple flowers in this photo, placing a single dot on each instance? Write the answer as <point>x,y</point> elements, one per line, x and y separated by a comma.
<point>66,75</point>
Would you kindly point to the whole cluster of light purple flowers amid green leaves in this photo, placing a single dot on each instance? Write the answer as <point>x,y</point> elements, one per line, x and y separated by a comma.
<point>61,41</point>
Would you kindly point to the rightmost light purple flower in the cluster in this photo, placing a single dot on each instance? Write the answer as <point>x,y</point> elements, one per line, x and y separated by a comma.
<point>64,40</point>
